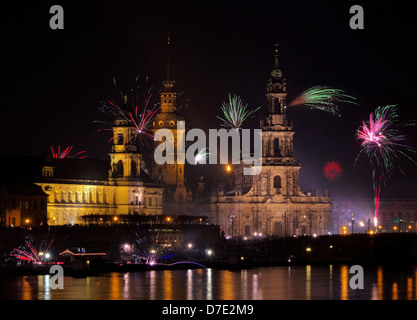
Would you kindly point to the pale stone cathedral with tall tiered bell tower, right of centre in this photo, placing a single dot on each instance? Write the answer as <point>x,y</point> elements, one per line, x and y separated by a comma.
<point>270,203</point>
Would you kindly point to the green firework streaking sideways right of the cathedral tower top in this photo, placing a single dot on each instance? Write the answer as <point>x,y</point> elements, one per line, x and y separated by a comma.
<point>323,98</point>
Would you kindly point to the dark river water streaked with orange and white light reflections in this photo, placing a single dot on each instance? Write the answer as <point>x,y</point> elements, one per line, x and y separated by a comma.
<point>272,283</point>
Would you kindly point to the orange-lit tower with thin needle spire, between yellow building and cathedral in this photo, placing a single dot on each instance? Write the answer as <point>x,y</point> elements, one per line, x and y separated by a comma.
<point>171,175</point>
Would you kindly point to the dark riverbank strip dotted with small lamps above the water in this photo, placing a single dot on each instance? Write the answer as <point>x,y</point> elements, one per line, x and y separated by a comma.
<point>364,249</point>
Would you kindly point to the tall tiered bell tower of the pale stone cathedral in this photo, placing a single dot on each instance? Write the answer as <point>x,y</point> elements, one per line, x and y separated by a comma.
<point>280,171</point>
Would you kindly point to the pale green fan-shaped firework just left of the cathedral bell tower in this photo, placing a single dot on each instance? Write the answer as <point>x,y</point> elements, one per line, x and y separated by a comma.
<point>235,113</point>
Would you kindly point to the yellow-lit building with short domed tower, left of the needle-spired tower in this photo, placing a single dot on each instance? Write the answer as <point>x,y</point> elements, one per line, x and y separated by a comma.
<point>78,189</point>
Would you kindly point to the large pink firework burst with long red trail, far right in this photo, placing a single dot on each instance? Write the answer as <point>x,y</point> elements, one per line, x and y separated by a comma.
<point>384,145</point>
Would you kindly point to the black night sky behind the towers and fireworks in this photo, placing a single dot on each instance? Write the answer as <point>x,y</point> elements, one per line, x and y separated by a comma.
<point>52,81</point>
